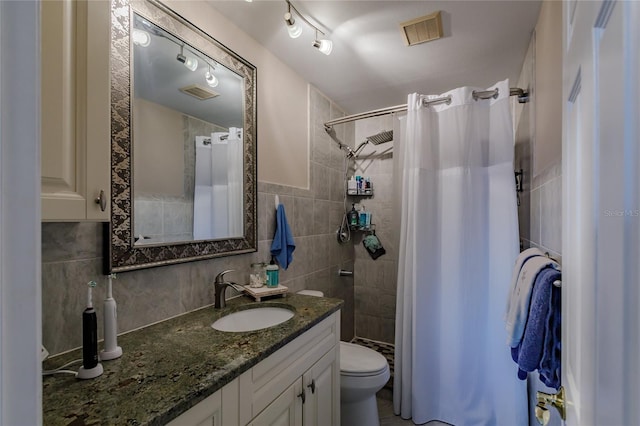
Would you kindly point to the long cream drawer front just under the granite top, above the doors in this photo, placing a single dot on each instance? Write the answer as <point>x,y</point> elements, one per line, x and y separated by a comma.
<point>275,374</point>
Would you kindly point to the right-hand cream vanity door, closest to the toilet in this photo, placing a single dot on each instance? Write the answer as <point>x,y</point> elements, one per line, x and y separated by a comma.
<point>322,385</point>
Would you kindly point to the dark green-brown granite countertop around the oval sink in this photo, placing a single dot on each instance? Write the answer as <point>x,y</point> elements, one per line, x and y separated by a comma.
<point>169,367</point>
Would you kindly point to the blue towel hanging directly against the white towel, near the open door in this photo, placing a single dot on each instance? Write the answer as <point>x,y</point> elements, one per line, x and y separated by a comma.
<point>531,348</point>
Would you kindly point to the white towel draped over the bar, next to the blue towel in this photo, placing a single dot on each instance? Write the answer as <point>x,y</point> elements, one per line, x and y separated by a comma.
<point>521,297</point>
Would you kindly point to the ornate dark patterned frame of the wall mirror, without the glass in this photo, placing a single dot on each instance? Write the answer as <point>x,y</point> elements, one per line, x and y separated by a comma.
<point>123,255</point>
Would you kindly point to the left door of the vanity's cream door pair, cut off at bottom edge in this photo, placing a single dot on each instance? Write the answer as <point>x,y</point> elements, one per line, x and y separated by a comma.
<point>286,410</point>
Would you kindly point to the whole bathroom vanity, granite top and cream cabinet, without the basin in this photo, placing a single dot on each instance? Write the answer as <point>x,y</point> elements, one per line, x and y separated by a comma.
<point>183,372</point>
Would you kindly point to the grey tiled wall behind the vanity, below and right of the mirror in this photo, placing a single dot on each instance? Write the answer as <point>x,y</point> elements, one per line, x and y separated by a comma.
<point>72,253</point>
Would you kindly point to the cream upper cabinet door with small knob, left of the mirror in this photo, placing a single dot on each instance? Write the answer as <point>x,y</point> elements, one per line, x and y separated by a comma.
<point>75,110</point>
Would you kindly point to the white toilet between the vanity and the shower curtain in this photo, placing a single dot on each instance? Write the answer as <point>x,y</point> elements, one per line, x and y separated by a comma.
<point>363,372</point>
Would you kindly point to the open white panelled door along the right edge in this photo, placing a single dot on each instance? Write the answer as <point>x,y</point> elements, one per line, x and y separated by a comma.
<point>601,220</point>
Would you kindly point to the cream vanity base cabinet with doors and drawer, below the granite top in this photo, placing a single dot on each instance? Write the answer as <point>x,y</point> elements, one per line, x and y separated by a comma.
<point>298,385</point>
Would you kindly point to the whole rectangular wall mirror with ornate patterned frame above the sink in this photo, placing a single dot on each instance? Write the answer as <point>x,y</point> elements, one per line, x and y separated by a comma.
<point>183,142</point>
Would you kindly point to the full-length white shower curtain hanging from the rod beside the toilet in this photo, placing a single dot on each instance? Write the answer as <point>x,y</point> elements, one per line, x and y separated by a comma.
<point>458,244</point>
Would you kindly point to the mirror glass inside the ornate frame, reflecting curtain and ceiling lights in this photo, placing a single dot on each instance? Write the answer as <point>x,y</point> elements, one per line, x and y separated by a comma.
<point>187,138</point>
